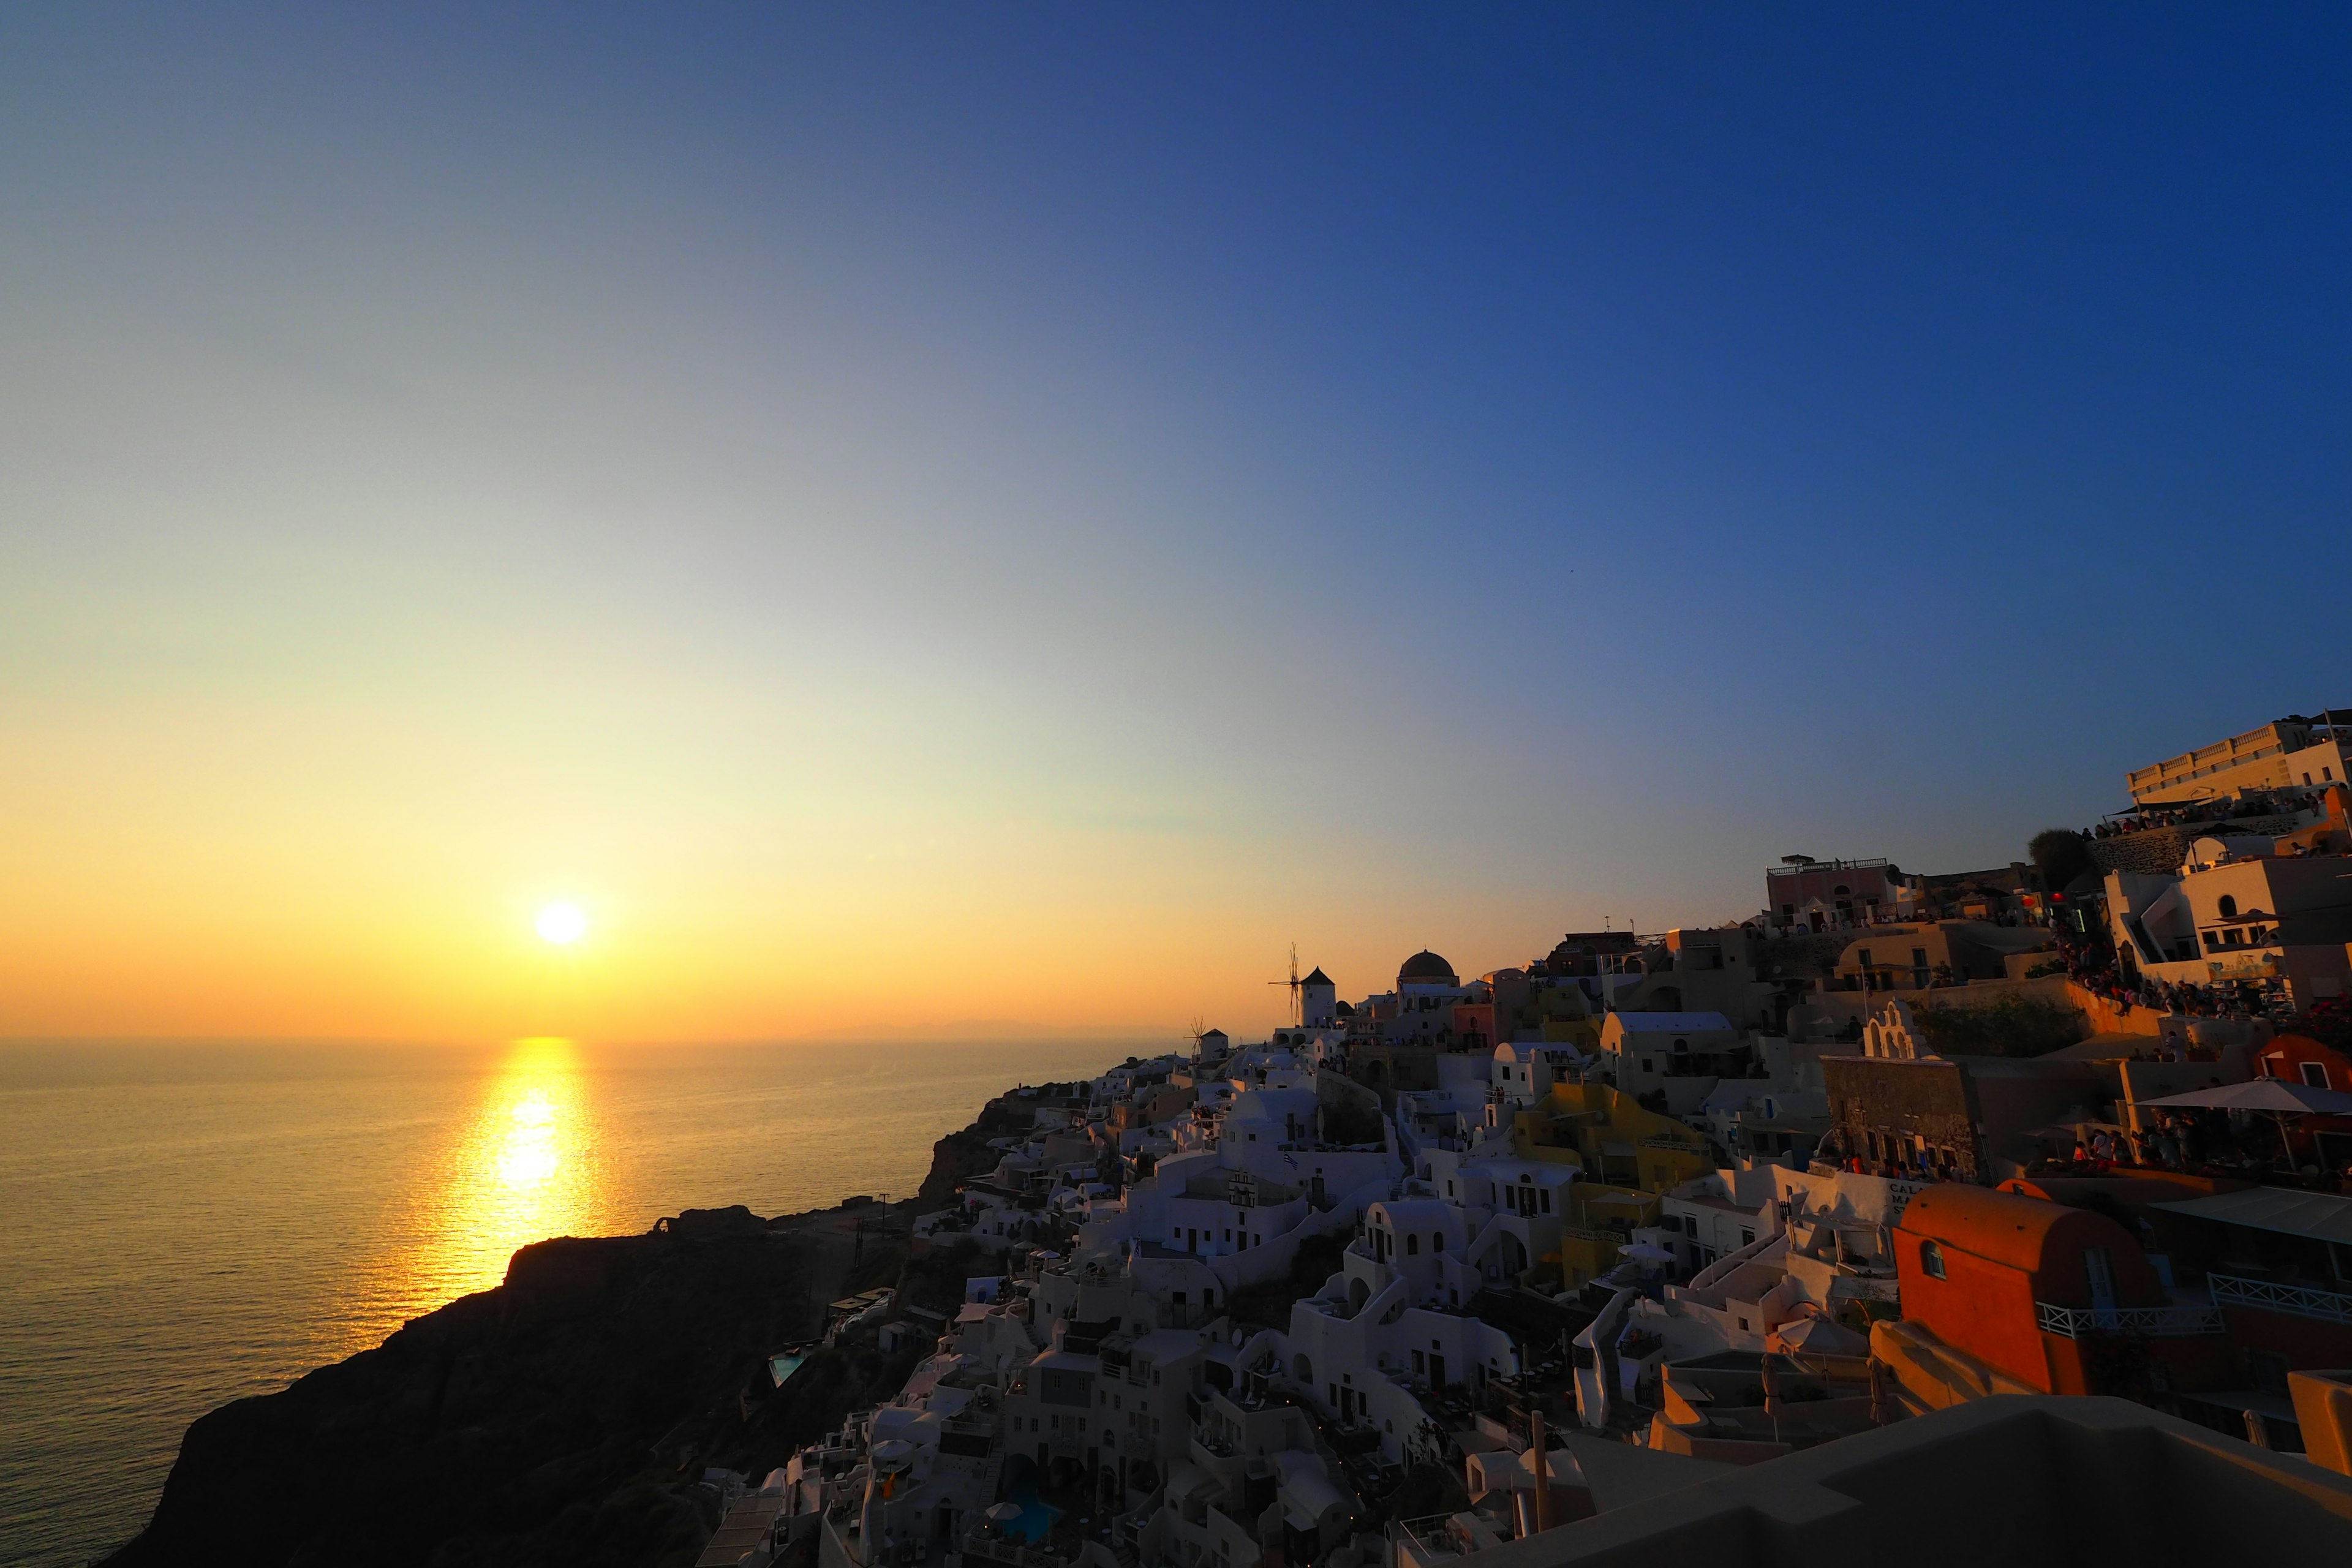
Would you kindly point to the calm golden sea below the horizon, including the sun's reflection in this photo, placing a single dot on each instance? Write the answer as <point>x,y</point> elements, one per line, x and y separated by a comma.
<point>185,1226</point>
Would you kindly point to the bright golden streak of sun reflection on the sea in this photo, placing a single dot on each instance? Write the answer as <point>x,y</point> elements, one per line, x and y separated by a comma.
<point>523,1172</point>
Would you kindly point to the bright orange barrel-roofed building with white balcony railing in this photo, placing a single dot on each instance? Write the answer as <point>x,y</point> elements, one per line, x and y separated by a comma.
<point>2059,1299</point>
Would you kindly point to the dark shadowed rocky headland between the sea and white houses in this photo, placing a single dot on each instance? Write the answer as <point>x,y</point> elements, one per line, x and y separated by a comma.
<point>568,1414</point>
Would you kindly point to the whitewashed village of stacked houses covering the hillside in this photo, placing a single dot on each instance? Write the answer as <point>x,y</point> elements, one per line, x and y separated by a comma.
<point>1657,1238</point>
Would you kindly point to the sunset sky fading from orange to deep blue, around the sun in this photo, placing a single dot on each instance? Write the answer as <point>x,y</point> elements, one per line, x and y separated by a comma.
<point>998,518</point>
